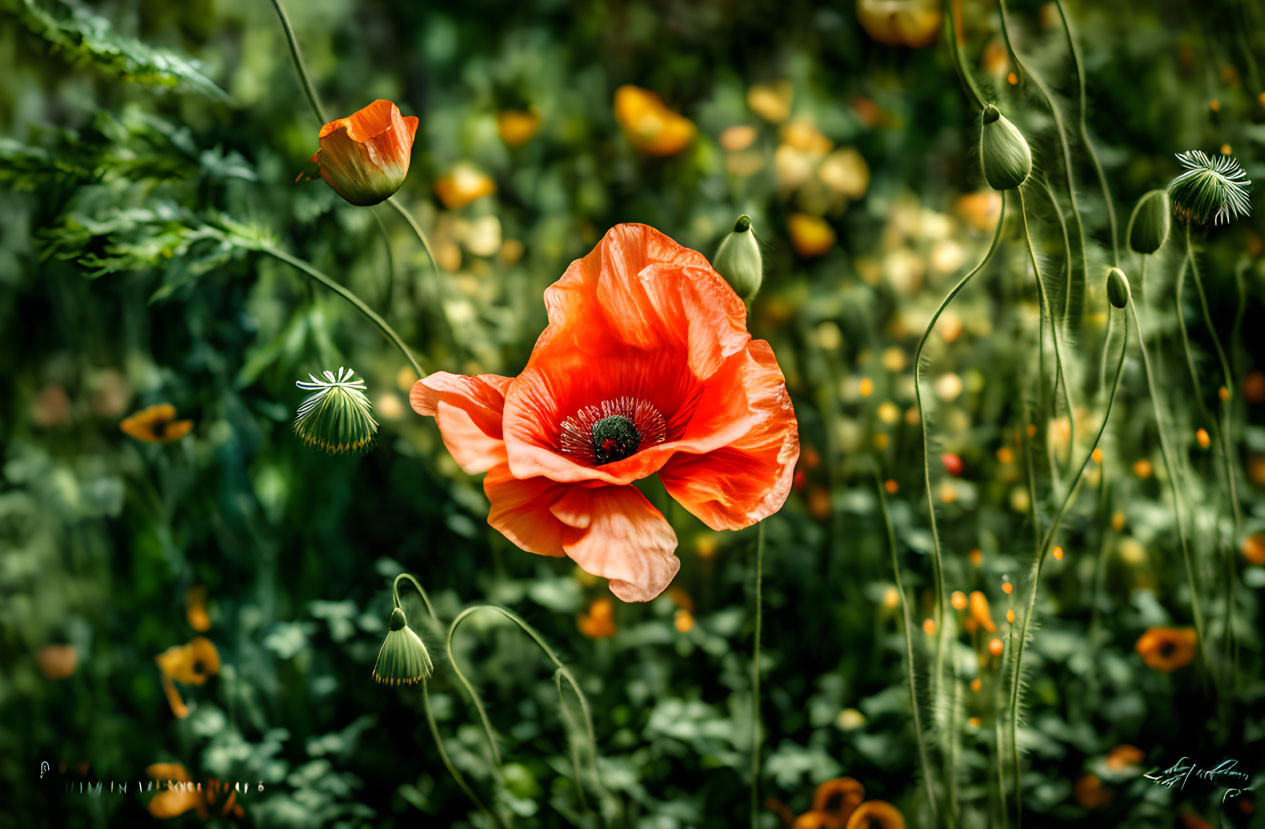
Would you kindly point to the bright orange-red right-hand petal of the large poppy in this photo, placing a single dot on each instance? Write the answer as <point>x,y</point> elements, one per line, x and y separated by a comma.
<point>750,479</point>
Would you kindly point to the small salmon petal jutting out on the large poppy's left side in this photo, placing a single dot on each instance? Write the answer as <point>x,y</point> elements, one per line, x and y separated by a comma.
<point>469,413</point>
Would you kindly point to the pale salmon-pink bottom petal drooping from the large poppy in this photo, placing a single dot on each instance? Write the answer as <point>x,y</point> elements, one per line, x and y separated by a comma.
<point>624,540</point>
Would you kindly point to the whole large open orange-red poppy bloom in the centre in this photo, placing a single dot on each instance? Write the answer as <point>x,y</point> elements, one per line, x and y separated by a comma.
<point>646,368</point>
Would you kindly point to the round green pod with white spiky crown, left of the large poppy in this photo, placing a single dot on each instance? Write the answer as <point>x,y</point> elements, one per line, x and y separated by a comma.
<point>340,417</point>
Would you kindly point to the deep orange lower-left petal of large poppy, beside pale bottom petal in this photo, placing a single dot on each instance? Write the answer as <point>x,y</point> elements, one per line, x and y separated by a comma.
<point>521,511</point>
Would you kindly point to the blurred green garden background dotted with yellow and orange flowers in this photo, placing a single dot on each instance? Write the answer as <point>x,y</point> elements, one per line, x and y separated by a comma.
<point>150,149</point>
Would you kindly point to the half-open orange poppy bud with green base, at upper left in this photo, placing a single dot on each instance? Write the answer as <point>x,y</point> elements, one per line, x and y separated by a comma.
<point>365,158</point>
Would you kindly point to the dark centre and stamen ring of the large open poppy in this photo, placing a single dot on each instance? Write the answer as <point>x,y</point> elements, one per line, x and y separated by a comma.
<point>612,431</point>
